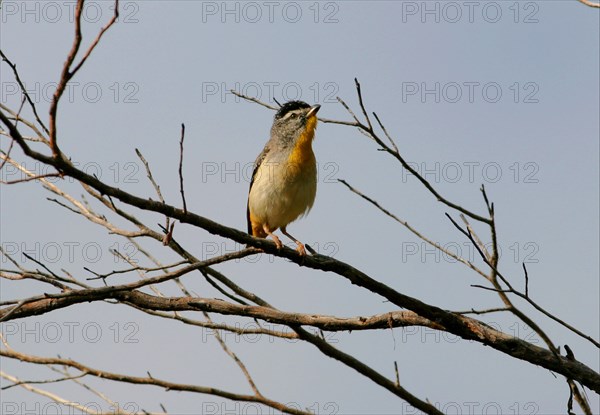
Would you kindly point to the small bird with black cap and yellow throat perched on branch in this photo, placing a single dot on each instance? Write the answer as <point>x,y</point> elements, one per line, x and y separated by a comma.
<point>284,179</point>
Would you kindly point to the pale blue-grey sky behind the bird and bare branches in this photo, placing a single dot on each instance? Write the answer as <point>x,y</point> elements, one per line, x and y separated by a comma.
<point>535,149</point>
